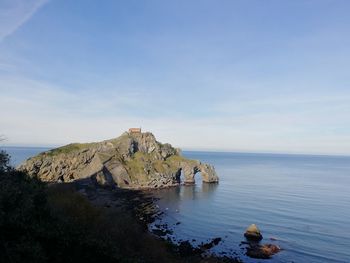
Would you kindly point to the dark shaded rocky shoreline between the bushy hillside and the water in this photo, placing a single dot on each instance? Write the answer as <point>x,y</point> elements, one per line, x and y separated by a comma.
<point>142,205</point>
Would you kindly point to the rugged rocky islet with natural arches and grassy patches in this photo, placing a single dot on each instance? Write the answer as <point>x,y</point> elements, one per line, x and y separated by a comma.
<point>129,161</point>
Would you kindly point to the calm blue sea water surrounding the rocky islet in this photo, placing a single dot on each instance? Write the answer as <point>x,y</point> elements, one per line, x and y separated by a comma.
<point>302,201</point>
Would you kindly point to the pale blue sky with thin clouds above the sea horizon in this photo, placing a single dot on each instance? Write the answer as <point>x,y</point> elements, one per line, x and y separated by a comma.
<point>221,75</point>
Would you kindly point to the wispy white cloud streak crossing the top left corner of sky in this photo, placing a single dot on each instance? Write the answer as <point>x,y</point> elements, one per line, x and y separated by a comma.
<point>14,13</point>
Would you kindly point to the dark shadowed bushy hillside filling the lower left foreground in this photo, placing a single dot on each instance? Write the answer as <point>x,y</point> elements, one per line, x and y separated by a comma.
<point>56,224</point>
